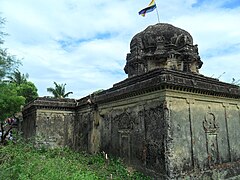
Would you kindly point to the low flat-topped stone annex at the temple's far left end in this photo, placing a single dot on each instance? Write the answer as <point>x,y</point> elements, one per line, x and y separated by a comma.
<point>50,121</point>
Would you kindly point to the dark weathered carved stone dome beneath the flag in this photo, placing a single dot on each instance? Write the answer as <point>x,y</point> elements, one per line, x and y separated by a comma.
<point>162,46</point>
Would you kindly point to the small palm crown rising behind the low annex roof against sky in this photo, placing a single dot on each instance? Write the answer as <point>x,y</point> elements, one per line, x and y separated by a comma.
<point>59,91</point>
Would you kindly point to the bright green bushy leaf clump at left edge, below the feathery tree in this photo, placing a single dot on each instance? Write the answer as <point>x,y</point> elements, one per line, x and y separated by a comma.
<point>10,101</point>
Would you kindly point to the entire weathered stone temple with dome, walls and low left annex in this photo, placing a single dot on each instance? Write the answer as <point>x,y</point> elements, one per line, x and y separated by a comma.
<point>165,119</point>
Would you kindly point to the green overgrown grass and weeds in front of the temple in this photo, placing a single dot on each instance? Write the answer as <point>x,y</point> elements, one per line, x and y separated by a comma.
<point>23,161</point>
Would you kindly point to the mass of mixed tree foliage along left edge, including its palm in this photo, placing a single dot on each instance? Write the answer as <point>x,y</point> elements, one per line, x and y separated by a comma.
<point>14,92</point>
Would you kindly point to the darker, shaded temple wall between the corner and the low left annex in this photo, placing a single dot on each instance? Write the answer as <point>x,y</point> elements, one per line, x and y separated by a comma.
<point>132,129</point>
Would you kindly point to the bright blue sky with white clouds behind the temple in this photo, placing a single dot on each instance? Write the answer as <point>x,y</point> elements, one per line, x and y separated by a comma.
<point>84,43</point>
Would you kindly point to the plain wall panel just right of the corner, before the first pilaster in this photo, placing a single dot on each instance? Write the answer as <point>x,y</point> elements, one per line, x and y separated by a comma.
<point>180,140</point>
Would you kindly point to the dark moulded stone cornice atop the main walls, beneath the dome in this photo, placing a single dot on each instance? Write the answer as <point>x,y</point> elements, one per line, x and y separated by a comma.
<point>168,79</point>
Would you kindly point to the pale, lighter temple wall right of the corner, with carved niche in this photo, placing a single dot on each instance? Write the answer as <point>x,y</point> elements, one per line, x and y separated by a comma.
<point>203,133</point>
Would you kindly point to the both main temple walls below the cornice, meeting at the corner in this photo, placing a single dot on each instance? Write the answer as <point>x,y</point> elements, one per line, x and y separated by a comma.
<point>172,133</point>
